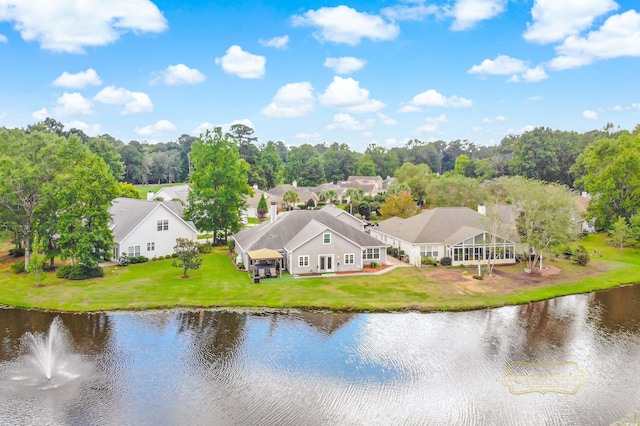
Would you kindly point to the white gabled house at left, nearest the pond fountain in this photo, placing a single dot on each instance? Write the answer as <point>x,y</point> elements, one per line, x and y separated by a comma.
<point>148,228</point>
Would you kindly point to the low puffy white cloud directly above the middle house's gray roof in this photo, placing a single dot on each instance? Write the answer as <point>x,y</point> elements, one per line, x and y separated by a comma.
<point>291,100</point>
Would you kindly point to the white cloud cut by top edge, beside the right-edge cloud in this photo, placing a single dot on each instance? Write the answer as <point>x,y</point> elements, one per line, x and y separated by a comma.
<point>554,20</point>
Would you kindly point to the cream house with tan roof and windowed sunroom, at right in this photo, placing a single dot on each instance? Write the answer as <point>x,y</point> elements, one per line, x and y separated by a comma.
<point>456,232</point>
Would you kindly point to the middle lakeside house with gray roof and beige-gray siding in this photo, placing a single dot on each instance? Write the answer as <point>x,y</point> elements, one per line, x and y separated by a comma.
<point>313,241</point>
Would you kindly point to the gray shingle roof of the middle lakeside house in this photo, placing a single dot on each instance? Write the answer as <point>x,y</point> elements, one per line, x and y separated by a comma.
<point>298,226</point>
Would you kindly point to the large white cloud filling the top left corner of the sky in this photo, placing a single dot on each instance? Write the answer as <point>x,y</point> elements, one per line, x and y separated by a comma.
<point>70,26</point>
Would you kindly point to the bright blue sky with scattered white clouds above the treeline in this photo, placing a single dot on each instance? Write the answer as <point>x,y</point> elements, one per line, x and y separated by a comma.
<point>378,72</point>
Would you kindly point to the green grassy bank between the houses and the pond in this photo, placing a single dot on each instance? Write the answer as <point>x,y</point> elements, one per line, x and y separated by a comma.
<point>218,284</point>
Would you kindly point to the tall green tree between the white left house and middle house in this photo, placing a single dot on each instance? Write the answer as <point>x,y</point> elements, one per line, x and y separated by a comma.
<point>219,185</point>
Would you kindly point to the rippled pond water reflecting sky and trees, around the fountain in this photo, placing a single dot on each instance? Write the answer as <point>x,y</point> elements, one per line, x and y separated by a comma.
<point>571,360</point>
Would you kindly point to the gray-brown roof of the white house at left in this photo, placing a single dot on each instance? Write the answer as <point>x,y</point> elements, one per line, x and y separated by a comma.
<point>128,213</point>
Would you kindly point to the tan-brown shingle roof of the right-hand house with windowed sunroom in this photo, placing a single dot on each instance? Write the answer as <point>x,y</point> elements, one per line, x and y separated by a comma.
<point>447,225</point>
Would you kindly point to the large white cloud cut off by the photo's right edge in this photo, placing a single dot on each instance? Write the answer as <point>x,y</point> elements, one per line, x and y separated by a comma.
<point>619,36</point>
